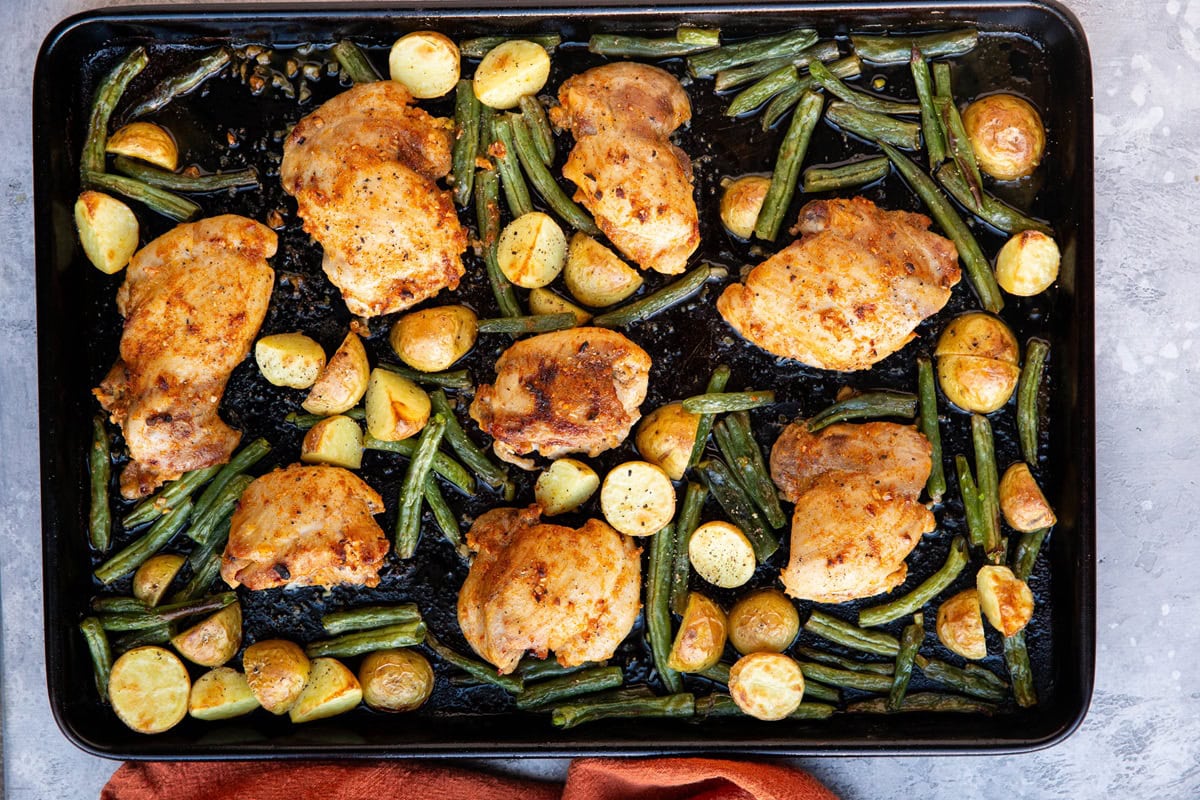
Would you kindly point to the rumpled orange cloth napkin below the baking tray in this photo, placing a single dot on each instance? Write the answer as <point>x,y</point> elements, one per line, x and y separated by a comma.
<point>589,779</point>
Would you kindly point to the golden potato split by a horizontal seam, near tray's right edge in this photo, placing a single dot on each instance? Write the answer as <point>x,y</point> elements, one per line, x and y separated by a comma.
<point>977,363</point>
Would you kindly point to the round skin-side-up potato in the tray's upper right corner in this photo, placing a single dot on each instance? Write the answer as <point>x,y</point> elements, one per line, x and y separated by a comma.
<point>1007,136</point>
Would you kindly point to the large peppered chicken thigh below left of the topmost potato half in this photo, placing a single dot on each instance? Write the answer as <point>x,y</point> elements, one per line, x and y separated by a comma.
<point>363,170</point>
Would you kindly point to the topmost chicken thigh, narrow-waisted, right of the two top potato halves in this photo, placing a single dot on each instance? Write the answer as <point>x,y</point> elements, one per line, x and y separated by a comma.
<point>628,175</point>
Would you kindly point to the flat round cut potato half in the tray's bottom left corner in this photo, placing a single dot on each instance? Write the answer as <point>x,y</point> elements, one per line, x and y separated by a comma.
<point>148,689</point>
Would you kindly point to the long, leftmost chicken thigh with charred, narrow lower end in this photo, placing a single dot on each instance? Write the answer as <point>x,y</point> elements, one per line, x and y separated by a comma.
<point>193,300</point>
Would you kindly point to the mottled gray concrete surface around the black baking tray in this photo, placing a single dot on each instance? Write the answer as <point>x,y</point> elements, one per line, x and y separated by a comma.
<point>1143,736</point>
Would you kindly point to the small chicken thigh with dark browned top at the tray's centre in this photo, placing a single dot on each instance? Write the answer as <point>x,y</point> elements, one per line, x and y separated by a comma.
<point>569,392</point>
